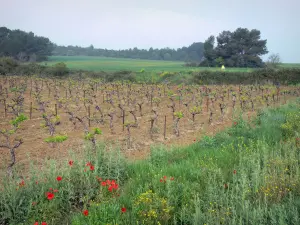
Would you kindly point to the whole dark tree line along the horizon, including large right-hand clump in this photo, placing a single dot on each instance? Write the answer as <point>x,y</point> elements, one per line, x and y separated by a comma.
<point>240,48</point>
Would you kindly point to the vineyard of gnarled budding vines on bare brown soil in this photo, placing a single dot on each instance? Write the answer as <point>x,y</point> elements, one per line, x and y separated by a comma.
<point>44,118</point>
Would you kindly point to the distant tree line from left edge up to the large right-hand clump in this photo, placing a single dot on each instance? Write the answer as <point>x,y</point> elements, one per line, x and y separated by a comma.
<point>25,46</point>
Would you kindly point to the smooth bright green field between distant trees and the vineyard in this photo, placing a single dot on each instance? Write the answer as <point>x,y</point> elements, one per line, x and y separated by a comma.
<point>116,64</point>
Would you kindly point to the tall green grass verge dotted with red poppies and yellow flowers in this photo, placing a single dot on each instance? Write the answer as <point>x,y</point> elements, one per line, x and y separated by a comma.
<point>247,174</point>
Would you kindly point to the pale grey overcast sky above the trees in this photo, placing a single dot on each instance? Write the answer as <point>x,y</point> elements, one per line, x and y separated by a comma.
<point>120,24</point>
